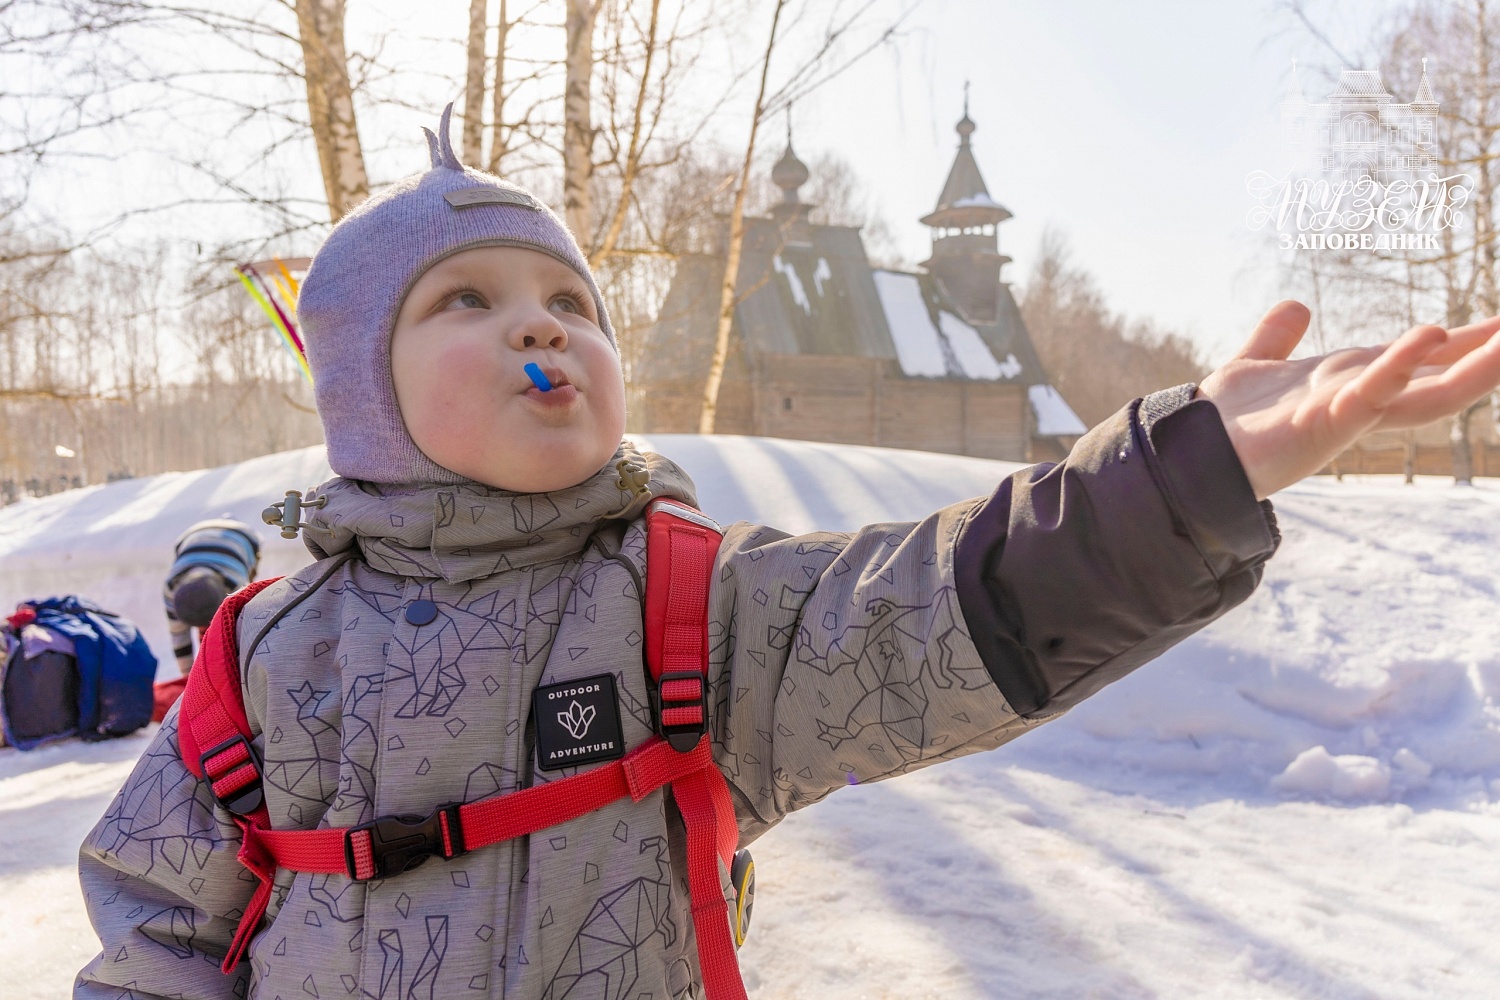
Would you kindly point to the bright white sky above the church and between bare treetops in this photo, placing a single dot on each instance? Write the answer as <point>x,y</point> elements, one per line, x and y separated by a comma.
<point>1129,127</point>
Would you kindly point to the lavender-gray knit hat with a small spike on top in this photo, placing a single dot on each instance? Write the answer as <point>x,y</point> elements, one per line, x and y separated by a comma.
<point>361,275</point>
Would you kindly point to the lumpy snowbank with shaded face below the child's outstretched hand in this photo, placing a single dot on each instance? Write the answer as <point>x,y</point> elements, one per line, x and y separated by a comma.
<point>1375,636</point>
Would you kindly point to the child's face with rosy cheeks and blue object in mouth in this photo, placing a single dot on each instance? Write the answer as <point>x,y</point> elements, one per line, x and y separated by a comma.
<point>464,337</point>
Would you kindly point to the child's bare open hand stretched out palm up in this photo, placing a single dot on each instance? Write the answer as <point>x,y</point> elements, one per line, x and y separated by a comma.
<point>1291,419</point>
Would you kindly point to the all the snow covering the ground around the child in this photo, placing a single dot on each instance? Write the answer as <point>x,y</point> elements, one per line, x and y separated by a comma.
<point>1301,803</point>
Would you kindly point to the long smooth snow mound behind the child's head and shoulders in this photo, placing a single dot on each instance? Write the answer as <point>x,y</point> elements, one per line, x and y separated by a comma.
<point>115,543</point>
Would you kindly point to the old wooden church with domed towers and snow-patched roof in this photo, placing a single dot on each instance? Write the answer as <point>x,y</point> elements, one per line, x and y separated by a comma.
<point>830,349</point>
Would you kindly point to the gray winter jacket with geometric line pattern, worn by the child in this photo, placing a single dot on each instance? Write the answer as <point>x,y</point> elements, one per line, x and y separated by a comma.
<point>833,657</point>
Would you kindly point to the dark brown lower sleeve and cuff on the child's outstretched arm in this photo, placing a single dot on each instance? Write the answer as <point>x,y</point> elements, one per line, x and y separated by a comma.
<point>1073,575</point>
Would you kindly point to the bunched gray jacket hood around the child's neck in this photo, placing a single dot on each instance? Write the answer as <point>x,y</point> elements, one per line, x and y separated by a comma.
<point>469,531</point>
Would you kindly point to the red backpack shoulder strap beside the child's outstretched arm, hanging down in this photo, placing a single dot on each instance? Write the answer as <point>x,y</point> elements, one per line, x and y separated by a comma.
<point>682,551</point>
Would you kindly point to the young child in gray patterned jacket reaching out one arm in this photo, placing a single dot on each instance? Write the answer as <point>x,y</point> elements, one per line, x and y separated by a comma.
<point>479,545</point>
